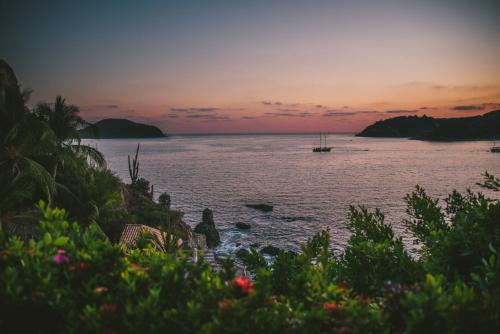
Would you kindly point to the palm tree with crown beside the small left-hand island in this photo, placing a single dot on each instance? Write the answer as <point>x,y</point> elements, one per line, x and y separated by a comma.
<point>65,122</point>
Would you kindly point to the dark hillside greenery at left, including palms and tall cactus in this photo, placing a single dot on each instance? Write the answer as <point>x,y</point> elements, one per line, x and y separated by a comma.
<point>42,157</point>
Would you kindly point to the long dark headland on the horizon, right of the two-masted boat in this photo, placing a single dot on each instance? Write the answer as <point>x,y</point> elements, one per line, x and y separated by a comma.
<point>483,127</point>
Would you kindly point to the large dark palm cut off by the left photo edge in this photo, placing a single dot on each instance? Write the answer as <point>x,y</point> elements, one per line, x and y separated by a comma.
<point>24,143</point>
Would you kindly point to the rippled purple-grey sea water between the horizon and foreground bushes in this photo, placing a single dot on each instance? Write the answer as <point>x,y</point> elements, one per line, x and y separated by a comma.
<point>309,191</point>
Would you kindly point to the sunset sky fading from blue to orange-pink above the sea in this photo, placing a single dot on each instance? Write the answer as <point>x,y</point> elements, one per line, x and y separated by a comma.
<point>258,66</point>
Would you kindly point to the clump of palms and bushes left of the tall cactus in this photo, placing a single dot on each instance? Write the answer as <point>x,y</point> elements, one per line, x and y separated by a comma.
<point>41,157</point>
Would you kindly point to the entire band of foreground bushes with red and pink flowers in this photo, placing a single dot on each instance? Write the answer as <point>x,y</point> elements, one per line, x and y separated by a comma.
<point>73,280</point>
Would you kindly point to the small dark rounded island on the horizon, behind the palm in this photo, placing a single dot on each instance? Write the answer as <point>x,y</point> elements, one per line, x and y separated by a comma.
<point>120,128</point>
